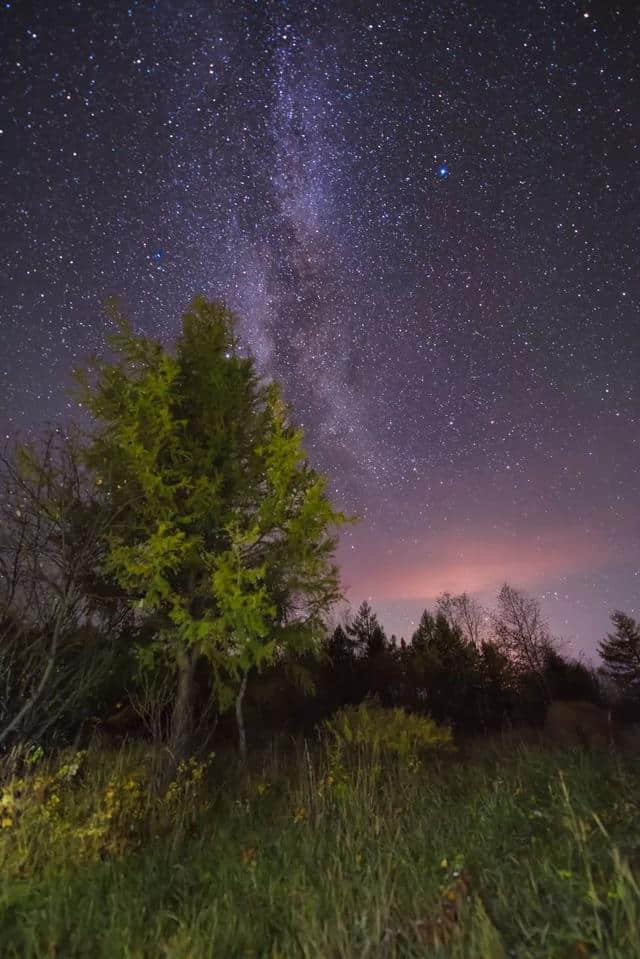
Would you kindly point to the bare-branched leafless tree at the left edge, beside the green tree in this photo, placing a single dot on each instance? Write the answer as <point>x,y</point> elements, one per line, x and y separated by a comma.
<point>54,651</point>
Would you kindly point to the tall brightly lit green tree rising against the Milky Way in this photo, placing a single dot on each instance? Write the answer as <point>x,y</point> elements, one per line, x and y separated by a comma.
<point>224,534</point>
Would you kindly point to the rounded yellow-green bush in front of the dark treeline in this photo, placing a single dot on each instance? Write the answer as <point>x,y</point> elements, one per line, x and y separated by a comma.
<point>386,731</point>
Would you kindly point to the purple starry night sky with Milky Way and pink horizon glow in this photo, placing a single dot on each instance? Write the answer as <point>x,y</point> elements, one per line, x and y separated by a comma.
<point>426,215</point>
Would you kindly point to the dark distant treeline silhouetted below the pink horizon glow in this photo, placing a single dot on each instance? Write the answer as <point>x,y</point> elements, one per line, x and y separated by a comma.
<point>476,671</point>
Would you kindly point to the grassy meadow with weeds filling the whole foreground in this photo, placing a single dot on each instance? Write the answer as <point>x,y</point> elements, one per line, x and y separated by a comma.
<point>521,852</point>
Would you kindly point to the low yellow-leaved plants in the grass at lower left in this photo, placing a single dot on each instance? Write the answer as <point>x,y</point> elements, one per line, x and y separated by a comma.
<point>84,808</point>
